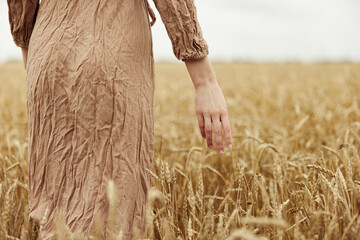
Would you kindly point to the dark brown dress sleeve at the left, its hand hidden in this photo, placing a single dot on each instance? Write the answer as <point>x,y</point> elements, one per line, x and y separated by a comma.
<point>22,16</point>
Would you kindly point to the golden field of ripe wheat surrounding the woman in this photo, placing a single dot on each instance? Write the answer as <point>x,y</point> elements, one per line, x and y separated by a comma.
<point>293,171</point>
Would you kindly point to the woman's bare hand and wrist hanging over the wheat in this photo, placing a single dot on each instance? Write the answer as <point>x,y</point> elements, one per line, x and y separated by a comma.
<point>211,109</point>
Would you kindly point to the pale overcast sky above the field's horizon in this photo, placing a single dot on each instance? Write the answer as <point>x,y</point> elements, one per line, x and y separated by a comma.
<point>256,30</point>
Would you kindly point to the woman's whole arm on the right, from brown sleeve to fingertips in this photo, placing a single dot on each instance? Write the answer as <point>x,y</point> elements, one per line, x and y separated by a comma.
<point>189,45</point>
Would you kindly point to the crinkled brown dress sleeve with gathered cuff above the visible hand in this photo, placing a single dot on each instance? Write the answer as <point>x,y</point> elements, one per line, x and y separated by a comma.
<point>183,28</point>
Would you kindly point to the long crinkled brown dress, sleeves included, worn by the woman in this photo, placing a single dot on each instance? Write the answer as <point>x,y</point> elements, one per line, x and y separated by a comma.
<point>90,100</point>
